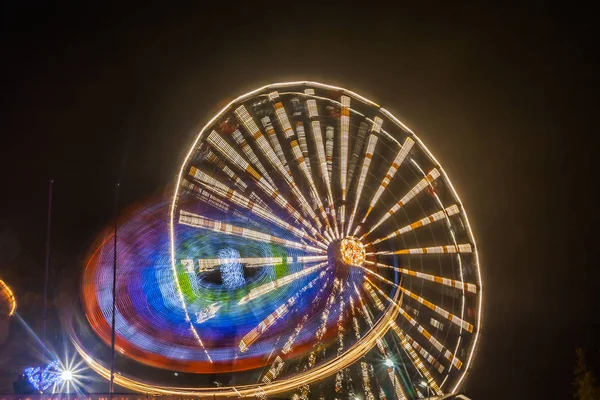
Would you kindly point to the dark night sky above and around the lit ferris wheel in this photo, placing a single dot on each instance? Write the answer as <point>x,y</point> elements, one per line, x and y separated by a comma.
<point>505,98</point>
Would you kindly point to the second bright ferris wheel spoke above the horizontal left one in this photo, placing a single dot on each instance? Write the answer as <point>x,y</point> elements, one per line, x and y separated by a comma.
<point>241,201</point>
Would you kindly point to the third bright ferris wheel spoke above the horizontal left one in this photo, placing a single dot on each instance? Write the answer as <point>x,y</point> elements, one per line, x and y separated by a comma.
<point>228,152</point>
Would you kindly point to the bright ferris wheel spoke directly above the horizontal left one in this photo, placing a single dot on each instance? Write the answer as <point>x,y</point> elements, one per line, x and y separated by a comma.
<point>199,221</point>
